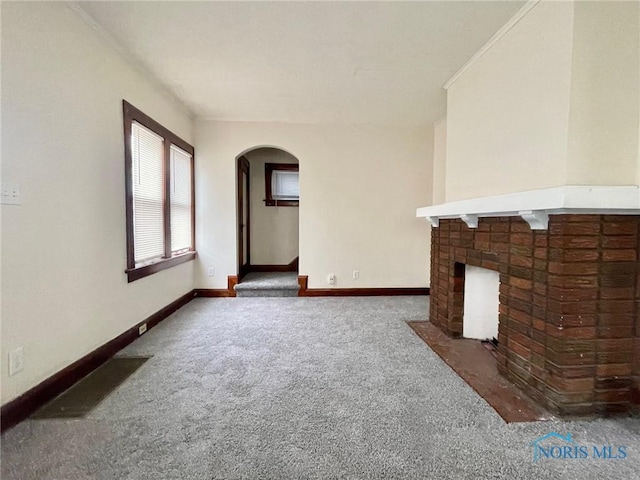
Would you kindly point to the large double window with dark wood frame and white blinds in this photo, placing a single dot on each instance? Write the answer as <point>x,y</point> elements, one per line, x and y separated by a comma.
<point>160,196</point>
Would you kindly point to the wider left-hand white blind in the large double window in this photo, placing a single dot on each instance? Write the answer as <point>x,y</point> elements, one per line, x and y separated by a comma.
<point>147,150</point>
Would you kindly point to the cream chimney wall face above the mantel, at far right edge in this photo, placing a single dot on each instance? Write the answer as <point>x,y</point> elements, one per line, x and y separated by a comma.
<point>605,88</point>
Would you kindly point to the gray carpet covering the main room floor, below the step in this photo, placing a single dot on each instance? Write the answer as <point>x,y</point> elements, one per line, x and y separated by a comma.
<point>299,388</point>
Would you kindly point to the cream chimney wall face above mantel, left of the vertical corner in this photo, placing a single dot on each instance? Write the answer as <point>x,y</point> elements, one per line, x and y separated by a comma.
<point>508,114</point>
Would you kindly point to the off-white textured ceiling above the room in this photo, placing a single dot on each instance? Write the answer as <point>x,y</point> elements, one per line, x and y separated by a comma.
<point>305,62</point>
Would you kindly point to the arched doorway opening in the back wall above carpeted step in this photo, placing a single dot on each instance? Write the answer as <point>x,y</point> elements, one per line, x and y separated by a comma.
<point>267,213</point>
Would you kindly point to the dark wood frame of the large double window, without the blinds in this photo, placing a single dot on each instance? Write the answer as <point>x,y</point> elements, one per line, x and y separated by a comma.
<point>131,114</point>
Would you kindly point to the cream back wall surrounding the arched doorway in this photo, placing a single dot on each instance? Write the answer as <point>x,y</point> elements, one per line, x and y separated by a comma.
<point>359,188</point>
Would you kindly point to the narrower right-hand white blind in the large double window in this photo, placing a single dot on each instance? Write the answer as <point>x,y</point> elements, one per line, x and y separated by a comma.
<point>180,200</point>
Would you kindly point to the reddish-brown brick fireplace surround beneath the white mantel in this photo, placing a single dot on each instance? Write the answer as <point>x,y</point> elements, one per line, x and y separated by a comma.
<point>569,304</point>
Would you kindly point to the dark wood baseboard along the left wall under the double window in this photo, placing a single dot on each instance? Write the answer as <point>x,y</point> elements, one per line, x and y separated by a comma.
<point>21,407</point>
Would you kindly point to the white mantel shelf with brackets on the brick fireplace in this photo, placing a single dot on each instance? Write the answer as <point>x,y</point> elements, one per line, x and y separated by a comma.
<point>535,206</point>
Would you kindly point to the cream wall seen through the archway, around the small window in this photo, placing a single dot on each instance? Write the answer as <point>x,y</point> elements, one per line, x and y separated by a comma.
<point>274,230</point>
